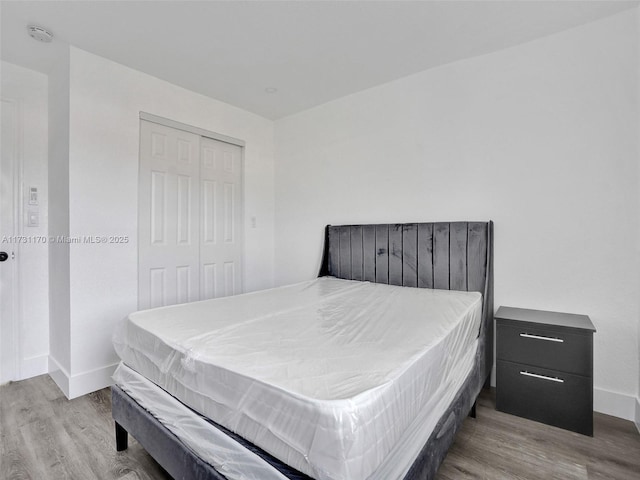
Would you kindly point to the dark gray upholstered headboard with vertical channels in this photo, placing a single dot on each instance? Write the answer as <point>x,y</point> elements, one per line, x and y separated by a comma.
<point>447,256</point>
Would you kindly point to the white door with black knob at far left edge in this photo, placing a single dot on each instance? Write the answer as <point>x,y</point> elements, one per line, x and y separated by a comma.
<point>8,273</point>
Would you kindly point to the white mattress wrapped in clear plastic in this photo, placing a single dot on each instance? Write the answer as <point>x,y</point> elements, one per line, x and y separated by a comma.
<point>330,376</point>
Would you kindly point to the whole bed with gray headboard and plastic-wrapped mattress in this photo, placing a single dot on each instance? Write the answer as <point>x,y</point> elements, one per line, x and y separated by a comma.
<point>340,391</point>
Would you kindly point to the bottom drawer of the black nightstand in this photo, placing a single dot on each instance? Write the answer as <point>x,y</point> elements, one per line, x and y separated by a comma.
<point>547,396</point>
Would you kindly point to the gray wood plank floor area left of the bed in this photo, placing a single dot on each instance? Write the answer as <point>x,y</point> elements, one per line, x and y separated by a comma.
<point>45,436</point>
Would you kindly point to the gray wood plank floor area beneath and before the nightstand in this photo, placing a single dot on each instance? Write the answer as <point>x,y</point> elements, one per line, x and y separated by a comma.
<point>498,446</point>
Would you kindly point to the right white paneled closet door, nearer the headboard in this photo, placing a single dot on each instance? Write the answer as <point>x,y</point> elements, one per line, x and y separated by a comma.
<point>221,241</point>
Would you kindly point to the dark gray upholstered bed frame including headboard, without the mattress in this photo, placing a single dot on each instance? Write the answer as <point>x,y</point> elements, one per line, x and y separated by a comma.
<point>449,256</point>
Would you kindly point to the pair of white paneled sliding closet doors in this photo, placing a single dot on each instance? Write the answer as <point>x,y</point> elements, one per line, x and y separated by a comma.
<point>190,217</point>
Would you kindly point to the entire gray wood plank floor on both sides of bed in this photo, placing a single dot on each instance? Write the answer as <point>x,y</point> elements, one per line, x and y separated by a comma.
<point>44,436</point>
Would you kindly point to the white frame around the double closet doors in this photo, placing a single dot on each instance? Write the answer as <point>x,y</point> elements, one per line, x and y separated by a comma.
<point>215,136</point>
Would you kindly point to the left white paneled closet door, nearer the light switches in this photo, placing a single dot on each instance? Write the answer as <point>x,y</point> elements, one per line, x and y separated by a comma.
<point>169,212</point>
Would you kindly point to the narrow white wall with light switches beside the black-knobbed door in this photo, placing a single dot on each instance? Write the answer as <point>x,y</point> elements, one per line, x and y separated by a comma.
<point>29,90</point>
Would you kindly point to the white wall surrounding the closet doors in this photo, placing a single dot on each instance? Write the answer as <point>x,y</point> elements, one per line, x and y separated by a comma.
<point>105,102</point>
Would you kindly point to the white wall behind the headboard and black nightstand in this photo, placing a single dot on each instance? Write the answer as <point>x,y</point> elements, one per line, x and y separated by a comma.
<point>541,138</point>
